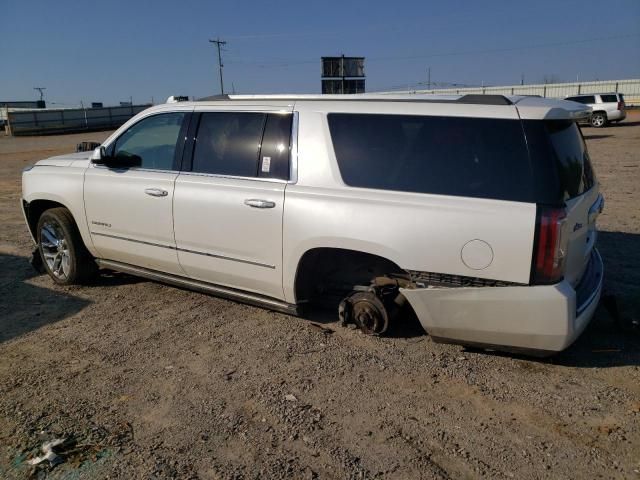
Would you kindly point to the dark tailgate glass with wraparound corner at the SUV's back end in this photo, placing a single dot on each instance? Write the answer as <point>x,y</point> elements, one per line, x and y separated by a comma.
<point>560,160</point>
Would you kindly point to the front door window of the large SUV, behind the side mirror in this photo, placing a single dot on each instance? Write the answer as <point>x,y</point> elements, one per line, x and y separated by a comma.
<point>151,142</point>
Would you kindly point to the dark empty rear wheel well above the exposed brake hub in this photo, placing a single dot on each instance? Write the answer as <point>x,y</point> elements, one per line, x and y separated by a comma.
<point>328,274</point>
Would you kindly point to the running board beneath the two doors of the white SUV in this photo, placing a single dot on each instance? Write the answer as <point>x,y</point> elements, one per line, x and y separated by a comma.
<point>190,284</point>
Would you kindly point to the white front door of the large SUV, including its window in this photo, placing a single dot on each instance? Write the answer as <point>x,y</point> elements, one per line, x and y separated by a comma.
<point>129,208</point>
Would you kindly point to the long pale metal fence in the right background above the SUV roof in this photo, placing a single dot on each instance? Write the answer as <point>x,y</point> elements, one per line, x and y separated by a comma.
<point>630,88</point>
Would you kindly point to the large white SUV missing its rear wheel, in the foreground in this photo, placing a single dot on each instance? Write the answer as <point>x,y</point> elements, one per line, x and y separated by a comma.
<point>478,212</point>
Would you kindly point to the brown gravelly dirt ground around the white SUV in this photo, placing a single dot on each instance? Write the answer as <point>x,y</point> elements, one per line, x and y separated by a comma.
<point>149,381</point>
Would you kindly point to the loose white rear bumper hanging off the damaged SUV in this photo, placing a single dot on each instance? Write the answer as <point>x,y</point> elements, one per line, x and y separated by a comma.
<point>543,318</point>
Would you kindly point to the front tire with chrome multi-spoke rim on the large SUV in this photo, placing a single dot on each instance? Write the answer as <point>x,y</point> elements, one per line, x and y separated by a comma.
<point>64,256</point>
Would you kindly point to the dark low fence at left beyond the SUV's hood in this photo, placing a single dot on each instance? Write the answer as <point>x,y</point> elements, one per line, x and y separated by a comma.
<point>35,122</point>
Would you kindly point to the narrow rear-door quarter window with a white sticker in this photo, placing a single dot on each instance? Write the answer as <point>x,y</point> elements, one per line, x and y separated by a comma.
<point>276,147</point>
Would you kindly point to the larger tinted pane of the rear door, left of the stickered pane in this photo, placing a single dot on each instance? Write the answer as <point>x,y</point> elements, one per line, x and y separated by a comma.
<point>228,143</point>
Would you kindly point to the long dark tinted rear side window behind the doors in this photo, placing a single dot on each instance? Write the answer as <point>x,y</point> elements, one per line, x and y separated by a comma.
<point>471,157</point>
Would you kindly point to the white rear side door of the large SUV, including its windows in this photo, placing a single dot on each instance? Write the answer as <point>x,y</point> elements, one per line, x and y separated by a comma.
<point>229,201</point>
